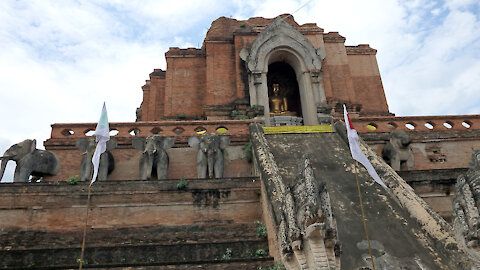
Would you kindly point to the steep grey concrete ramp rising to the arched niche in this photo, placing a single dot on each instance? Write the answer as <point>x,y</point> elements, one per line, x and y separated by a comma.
<point>404,232</point>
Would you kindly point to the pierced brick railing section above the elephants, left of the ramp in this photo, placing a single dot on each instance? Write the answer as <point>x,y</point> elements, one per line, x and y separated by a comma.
<point>164,128</point>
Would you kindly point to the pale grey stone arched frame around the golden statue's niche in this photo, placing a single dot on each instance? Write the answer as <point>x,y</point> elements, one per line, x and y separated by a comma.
<point>280,42</point>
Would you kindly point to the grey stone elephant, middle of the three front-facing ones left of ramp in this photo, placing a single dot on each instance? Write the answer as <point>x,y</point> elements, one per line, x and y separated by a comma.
<point>154,159</point>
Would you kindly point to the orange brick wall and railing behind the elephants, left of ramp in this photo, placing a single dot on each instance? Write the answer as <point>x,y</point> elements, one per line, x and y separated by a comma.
<point>182,158</point>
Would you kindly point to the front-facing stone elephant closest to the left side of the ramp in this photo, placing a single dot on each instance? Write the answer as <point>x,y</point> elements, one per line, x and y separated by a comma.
<point>210,154</point>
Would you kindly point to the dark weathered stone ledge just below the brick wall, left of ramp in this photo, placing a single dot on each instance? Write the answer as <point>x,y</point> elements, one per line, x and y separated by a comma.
<point>20,240</point>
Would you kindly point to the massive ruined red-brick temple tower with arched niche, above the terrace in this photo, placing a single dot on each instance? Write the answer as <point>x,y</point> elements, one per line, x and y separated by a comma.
<point>240,61</point>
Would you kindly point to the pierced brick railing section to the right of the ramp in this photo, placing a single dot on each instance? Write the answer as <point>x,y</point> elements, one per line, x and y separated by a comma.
<point>417,123</point>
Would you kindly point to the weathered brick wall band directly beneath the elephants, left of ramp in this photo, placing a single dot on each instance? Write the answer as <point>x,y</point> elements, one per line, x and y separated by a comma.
<point>61,207</point>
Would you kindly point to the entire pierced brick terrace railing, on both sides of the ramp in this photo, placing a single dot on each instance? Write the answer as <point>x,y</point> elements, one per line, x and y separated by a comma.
<point>240,127</point>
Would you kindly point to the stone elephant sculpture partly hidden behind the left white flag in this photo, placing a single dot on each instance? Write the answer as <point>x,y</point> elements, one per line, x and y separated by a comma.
<point>107,162</point>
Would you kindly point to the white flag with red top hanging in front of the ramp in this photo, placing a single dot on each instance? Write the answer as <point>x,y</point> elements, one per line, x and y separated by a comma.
<point>356,151</point>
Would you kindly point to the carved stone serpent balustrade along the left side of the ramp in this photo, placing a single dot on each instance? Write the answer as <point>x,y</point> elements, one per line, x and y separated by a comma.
<point>306,230</point>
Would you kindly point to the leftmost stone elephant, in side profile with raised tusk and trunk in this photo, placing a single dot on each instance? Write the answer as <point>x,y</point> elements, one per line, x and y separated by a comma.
<point>30,161</point>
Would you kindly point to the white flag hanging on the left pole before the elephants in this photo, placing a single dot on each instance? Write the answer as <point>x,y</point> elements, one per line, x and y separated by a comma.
<point>102,135</point>
